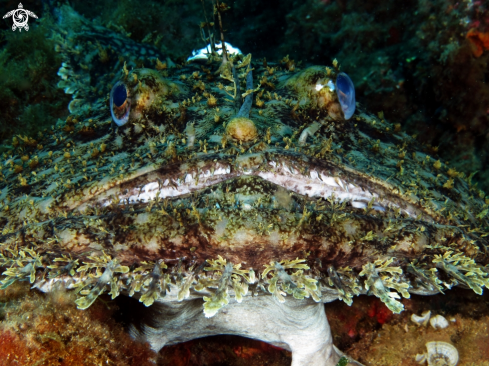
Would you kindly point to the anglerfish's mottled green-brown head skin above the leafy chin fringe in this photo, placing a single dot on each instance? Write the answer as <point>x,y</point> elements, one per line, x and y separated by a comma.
<point>74,202</point>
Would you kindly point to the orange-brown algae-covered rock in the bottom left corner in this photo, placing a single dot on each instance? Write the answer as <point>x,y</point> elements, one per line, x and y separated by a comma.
<point>38,329</point>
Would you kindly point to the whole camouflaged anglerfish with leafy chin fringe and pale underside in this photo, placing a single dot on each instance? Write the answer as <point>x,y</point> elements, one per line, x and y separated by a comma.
<point>243,230</point>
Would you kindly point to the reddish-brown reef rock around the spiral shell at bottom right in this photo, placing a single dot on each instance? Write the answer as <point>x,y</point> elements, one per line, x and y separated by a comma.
<point>396,340</point>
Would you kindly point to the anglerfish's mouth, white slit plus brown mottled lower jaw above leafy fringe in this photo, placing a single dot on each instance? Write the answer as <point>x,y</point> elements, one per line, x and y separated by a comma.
<point>259,208</point>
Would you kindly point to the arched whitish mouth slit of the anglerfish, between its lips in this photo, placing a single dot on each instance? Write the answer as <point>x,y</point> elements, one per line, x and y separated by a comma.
<point>308,179</point>
